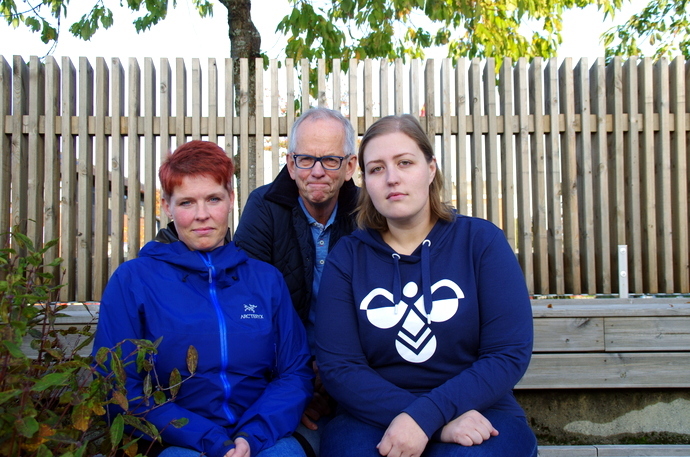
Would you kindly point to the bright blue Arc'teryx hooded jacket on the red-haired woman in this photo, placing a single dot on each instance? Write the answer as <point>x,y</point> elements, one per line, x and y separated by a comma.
<point>253,379</point>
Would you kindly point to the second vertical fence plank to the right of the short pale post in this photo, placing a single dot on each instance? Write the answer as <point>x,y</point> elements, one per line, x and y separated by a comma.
<point>648,198</point>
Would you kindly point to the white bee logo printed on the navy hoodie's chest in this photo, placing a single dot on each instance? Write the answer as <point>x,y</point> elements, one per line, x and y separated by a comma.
<point>415,342</point>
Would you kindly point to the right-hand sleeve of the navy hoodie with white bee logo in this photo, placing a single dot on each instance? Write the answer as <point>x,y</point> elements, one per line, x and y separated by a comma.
<point>505,345</point>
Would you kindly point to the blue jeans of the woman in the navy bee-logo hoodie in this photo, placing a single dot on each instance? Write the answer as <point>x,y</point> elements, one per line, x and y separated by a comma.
<point>345,436</point>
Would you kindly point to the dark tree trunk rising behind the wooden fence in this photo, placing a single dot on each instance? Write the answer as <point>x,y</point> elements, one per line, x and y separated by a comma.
<point>245,41</point>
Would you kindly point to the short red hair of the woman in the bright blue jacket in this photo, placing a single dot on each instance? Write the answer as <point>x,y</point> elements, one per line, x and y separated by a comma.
<point>196,158</point>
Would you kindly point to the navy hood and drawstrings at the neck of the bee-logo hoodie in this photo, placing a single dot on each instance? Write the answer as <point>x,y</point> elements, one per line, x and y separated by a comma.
<point>421,257</point>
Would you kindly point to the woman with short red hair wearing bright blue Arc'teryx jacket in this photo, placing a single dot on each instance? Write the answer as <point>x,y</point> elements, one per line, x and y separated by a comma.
<point>193,286</point>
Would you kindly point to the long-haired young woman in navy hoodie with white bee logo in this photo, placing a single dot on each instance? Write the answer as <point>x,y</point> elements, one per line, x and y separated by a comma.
<point>424,324</point>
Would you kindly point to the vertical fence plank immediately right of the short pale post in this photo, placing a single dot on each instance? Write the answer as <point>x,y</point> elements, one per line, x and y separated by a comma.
<point>632,188</point>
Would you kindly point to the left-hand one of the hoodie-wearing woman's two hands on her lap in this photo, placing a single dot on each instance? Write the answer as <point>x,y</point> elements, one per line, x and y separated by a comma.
<point>403,438</point>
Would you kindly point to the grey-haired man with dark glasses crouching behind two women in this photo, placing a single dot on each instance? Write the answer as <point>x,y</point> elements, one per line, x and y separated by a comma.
<point>294,221</point>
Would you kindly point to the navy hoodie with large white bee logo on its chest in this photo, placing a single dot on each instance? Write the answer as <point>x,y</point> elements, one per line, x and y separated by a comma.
<point>434,334</point>
